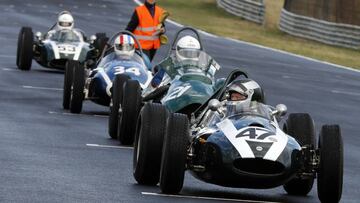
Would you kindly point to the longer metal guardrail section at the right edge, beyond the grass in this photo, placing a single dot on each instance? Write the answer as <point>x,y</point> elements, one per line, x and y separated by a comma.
<point>344,35</point>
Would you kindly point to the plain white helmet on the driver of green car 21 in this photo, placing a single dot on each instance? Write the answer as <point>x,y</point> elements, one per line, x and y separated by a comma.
<point>188,48</point>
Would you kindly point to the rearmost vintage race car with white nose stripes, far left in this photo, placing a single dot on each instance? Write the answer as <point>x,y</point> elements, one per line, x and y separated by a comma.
<point>56,47</point>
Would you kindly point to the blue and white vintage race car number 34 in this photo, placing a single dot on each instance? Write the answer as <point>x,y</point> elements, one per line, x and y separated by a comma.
<point>100,84</point>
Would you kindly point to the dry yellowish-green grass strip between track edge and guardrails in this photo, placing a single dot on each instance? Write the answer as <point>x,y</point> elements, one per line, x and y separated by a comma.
<point>205,15</point>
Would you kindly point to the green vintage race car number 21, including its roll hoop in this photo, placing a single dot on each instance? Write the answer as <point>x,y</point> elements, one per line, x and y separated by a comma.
<point>186,86</point>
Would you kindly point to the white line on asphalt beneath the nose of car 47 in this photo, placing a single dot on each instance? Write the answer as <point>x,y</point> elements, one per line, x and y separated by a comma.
<point>205,198</point>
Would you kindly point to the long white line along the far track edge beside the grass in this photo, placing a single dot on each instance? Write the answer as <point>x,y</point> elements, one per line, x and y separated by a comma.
<point>267,48</point>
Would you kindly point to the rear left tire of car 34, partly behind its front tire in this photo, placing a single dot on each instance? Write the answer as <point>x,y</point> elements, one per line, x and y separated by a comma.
<point>68,77</point>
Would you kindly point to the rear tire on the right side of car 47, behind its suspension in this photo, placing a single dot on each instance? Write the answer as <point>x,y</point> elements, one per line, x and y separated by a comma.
<point>301,127</point>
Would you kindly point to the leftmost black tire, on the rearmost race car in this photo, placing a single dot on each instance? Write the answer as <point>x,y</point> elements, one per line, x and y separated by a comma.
<point>25,48</point>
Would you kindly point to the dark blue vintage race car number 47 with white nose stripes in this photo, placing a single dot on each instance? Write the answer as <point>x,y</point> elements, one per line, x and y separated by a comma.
<point>238,147</point>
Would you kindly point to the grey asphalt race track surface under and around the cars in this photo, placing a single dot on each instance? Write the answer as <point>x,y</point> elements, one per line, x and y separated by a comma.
<point>49,155</point>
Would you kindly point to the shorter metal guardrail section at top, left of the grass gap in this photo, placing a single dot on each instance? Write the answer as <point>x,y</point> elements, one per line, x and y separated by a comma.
<point>252,10</point>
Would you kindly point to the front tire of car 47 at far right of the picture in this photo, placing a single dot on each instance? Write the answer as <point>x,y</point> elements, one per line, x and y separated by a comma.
<point>330,173</point>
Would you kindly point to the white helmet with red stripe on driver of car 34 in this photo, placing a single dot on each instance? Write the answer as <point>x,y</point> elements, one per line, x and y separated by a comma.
<point>124,45</point>
